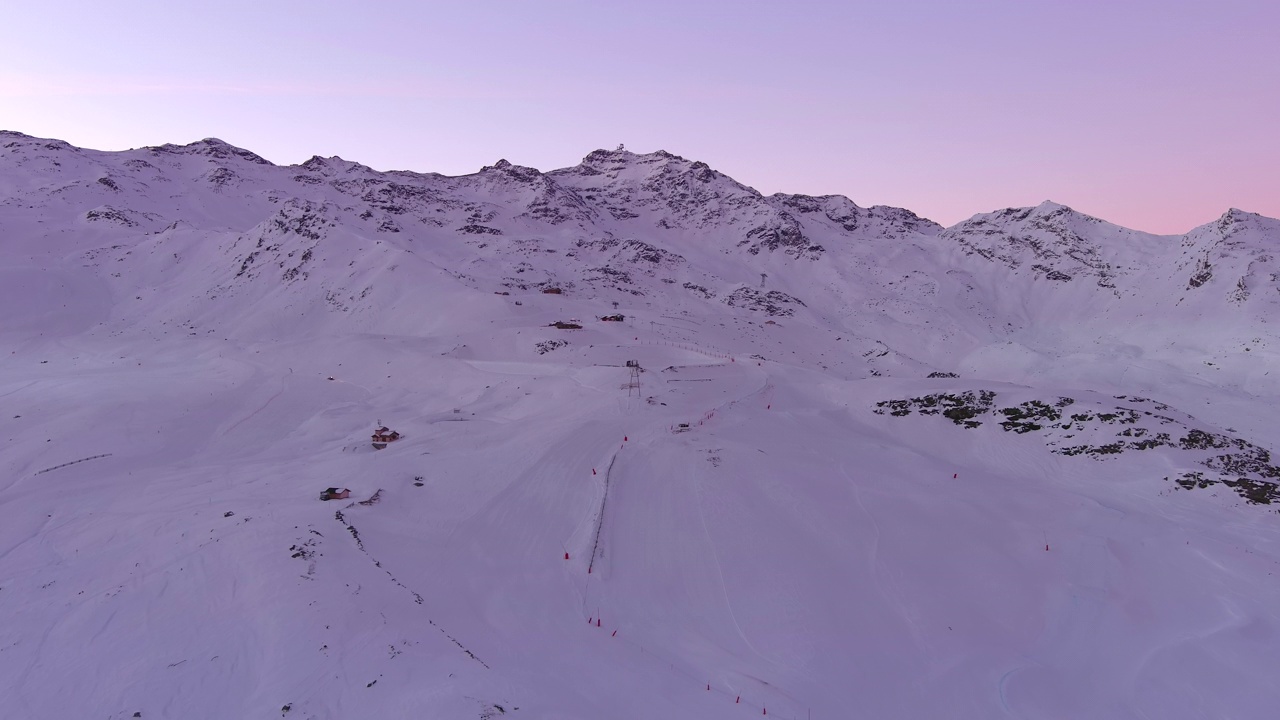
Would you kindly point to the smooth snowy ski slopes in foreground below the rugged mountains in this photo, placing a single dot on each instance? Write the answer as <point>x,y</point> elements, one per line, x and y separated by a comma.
<point>545,545</point>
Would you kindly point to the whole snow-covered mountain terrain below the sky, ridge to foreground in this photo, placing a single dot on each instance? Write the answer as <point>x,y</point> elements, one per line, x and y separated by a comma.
<point>1018,467</point>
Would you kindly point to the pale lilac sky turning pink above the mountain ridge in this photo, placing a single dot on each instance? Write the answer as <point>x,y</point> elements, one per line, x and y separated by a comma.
<point>1158,116</point>
